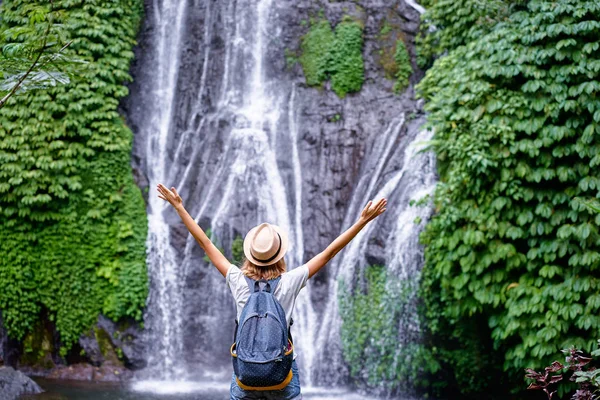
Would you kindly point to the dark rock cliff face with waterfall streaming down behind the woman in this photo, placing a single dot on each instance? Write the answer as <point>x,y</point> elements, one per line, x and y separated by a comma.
<point>218,113</point>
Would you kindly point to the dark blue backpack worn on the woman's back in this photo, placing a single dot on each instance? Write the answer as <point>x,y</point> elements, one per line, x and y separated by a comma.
<point>262,351</point>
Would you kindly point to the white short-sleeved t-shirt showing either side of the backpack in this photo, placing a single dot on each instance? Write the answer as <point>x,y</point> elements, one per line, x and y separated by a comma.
<point>286,291</point>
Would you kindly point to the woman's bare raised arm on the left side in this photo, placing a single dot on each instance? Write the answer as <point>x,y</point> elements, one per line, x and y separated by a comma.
<point>213,253</point>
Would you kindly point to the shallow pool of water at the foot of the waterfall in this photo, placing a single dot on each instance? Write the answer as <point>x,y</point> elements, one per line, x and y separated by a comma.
<point>63,390</point>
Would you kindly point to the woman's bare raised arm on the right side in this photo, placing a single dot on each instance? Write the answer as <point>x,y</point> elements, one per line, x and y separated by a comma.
<point>369,213</point>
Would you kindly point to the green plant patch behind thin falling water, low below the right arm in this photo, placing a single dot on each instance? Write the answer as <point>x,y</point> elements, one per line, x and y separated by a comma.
<point>369,333</point>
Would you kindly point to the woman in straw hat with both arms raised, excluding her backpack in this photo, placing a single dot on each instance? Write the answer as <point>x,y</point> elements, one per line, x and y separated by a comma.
<point>264,248</point>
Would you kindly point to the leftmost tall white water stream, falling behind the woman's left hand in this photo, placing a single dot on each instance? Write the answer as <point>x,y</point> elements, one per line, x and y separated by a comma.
<point>165,299</point>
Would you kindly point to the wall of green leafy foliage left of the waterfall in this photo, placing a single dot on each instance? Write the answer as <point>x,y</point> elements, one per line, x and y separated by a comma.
<point>73,225</point>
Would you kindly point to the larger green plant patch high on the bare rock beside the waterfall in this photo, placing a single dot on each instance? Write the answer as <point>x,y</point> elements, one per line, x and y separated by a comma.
<point>336,56</point>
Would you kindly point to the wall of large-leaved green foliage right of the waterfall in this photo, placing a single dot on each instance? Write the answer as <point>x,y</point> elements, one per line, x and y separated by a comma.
<point>515,244</point>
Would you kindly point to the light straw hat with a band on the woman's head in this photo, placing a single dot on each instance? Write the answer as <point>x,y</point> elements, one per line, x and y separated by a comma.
<point>265,244</point>
